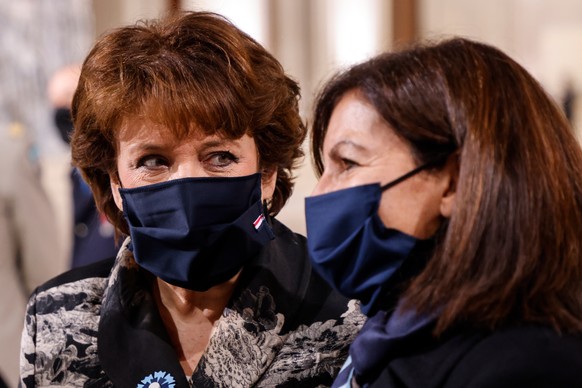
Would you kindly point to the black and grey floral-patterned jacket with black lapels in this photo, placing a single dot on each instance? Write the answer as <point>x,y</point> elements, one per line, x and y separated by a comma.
<point>98,326</point>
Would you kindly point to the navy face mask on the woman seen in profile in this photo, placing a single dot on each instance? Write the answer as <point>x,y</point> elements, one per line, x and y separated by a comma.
<point>352,250</point>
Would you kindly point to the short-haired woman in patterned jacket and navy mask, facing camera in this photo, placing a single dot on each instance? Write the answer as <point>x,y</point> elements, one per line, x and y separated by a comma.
<point>188,132</point>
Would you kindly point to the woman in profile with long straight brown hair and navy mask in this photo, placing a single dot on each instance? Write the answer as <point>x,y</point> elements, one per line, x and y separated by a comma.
<point>450,203</point>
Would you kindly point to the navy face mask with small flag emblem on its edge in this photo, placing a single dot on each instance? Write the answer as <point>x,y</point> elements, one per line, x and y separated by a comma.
<point>196,233</point>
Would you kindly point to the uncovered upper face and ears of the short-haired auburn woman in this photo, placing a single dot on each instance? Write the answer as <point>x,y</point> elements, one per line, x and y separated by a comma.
<point>149,153</point>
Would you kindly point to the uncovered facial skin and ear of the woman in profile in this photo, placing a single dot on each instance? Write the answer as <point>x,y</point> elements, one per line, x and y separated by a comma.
<point>361,148</point>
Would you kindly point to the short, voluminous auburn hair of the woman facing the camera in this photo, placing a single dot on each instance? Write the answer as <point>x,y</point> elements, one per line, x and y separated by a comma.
<point>188,72</point>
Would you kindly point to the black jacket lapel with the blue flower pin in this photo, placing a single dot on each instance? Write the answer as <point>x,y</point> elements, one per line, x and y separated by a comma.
<point>133,345</point>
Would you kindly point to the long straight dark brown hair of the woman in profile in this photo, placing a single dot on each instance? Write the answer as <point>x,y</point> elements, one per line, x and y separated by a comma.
<point>511,250</point>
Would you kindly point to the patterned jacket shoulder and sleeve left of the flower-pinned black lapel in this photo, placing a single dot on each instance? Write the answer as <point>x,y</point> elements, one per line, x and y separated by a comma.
<point>62,322</point>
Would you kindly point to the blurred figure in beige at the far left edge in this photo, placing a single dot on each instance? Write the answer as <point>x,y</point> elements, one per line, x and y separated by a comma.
<point>28,243</point>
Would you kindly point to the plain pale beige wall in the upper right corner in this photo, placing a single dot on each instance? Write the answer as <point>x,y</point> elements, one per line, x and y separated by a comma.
<point>545,36</point>
